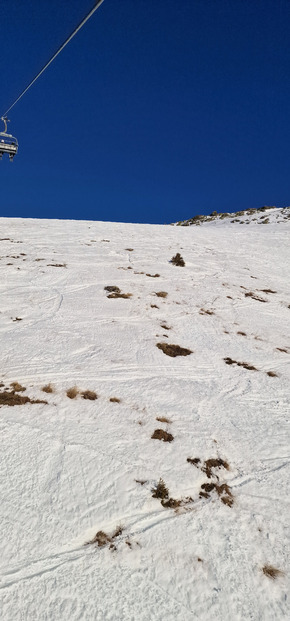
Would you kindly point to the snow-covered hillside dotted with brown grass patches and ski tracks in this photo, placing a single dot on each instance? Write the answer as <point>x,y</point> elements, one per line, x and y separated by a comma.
<point>100,520</point>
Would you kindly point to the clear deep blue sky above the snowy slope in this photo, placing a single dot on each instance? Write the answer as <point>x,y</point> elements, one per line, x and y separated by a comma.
<point>157,110</point>
